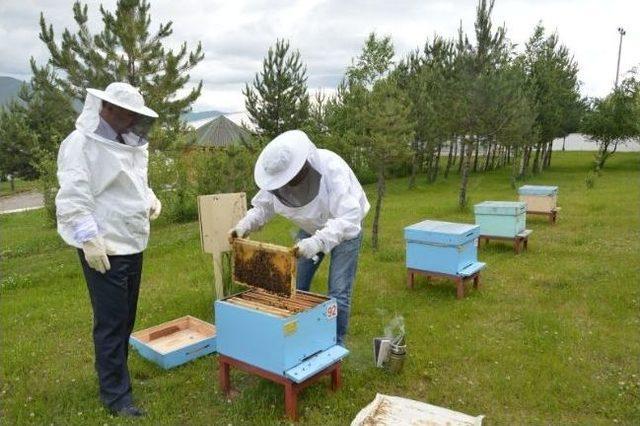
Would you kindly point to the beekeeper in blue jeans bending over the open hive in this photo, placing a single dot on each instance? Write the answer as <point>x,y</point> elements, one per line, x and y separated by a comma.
<point>319,192</point>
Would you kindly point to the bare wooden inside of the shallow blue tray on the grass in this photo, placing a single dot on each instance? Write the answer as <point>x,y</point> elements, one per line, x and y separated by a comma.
<point>174,335</point>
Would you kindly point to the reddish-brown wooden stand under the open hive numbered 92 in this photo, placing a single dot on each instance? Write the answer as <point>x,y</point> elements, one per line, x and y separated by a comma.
<point>291,388</point>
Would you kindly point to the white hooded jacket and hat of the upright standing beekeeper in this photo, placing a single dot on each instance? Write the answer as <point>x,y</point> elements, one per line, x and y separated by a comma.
<point>104,191</point>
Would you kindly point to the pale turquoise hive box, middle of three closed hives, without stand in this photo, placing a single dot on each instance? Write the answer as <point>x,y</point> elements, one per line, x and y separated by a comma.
<point>501,218</point>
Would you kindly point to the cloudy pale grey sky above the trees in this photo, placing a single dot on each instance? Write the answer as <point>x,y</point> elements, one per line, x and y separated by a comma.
<point>236,34</point>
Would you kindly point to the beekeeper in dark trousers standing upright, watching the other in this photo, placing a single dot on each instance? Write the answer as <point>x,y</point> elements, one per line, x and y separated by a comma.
<point>103,209</point>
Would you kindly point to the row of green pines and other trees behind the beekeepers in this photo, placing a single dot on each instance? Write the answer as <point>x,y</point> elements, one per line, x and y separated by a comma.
<point>458,105</point>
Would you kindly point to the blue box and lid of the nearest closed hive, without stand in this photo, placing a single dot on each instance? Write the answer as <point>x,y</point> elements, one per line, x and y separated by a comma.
<point>445,247</point>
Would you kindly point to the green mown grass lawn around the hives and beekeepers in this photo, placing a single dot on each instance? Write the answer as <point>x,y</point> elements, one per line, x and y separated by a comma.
<point>551,338</point>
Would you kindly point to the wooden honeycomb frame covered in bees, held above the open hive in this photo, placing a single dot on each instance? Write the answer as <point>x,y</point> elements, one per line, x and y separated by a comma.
<point>266,266</point>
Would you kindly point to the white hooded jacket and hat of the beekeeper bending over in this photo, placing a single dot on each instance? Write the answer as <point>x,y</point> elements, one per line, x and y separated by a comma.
<point>333,214</point>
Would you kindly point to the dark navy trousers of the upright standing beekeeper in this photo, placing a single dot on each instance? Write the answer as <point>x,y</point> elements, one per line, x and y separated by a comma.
<point>114,299</point>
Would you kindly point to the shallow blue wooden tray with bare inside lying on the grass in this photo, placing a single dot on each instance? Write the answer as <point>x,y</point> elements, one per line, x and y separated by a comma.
<point>175,342</point>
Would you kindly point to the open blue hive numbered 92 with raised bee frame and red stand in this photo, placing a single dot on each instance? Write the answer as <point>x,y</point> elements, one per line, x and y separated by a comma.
<point>272,330</point>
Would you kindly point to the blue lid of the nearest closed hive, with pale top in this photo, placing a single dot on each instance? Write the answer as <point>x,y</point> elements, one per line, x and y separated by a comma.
<point>446,233</point>
